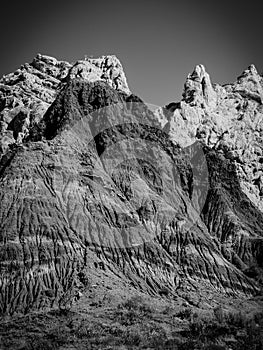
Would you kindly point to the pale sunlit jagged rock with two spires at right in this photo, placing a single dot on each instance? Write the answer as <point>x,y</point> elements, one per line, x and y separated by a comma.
<point>227,118</point>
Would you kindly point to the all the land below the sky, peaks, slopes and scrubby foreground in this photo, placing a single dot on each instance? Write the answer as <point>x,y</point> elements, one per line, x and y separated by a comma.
<point>124,226</point>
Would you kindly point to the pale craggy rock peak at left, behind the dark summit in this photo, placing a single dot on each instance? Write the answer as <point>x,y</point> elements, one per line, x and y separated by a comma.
<point>26,94</point>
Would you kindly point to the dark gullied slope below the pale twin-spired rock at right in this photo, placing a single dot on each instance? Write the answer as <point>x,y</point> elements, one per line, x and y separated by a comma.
<point>230,215</point>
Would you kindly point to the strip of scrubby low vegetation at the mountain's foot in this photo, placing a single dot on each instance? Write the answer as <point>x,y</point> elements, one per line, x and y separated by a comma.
<point>134,324</point>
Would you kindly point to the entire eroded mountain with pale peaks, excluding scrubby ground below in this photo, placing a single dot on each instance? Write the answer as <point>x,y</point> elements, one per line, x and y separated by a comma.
<point>92,180</point>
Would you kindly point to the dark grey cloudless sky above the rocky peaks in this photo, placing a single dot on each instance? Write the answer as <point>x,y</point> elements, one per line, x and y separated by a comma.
<point>158,42</point>
